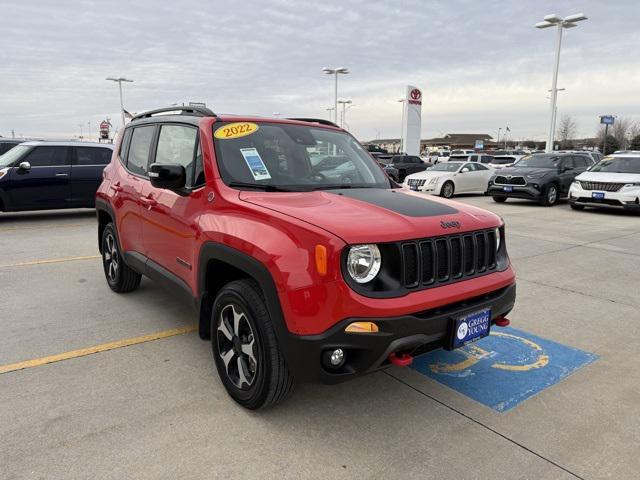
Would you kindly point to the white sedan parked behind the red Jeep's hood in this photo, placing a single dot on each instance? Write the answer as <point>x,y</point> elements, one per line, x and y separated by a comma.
<point>449,178</point>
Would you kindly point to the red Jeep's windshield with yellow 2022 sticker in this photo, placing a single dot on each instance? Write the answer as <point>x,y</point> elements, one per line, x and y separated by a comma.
<point>276,156</point>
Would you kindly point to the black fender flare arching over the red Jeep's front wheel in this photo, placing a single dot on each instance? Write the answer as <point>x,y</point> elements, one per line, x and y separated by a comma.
<point>253,268</point>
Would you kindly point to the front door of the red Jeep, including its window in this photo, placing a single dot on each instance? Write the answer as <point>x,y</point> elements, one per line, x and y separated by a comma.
<point>169,217</point>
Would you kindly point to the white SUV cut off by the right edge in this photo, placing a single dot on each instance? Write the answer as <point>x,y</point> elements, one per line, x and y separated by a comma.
<point>613,182</point>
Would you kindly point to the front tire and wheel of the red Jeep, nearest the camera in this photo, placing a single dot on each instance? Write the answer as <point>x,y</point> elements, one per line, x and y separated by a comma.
<point>245,349</point>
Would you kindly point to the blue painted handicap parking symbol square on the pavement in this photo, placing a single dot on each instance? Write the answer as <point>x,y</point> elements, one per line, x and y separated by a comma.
<point>503,369</point>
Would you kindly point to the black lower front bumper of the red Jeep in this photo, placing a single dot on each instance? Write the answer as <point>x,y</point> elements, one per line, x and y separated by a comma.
<point>366,352</point>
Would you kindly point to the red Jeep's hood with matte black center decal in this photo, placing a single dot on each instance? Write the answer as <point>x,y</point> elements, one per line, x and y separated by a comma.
<point>371,215</point>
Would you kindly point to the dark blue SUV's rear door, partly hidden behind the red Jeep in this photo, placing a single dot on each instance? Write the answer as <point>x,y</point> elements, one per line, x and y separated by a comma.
<point>87,164</point>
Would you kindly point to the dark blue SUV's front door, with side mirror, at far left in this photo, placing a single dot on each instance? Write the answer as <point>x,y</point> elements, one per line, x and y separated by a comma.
<point>46,184</point>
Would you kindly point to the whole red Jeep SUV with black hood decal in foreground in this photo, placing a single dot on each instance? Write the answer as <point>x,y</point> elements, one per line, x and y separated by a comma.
<point>302,259</point>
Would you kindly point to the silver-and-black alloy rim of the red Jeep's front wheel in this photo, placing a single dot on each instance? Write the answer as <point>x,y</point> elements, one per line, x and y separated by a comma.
<point>237,346</point>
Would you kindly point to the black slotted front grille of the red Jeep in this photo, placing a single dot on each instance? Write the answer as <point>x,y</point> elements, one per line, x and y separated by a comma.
<point>448,259</point>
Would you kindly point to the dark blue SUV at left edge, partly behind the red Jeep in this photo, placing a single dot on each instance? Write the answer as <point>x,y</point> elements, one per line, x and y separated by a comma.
<point>48,175</point>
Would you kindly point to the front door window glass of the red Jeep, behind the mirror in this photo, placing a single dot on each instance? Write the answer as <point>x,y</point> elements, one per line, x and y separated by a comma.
<point>177,145</point>
